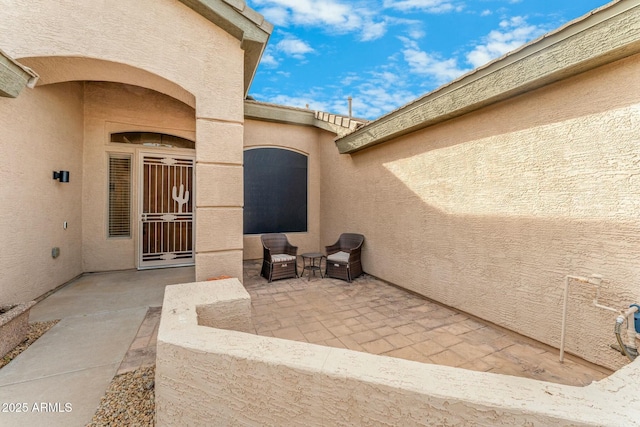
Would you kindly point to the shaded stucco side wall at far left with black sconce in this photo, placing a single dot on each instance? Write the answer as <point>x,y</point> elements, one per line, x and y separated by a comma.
<point>41,133</point>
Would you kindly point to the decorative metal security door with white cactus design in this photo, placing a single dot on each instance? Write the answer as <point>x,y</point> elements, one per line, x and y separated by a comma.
<point>166,223</point>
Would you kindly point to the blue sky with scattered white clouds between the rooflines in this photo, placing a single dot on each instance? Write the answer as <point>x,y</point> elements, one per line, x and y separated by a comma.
<point>386,53</point>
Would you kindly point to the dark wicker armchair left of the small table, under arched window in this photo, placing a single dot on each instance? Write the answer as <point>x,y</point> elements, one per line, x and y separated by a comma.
<point>278,257</point>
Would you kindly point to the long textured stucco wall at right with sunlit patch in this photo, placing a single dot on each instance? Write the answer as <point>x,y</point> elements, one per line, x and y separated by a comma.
<point>488,212</point>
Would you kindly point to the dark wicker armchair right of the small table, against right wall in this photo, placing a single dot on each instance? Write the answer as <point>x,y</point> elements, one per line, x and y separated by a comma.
<point>344,257</point>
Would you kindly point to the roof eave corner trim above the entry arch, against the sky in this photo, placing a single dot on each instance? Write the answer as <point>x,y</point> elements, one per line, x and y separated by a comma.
<point>241,22</point>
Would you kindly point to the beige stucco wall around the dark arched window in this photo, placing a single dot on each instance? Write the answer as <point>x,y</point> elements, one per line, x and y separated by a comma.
<point>302,139</point>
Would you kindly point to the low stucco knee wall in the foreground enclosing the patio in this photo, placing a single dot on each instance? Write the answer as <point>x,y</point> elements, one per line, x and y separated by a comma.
<point>214,371</point>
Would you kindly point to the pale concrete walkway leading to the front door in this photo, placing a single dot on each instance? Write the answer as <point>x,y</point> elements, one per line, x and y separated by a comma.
<point>60,379</point>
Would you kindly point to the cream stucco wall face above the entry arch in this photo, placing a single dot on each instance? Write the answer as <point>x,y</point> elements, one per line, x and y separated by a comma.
<point>164,38</point>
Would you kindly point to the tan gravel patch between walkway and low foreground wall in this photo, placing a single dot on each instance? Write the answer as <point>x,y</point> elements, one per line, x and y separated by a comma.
<point>129,400</point>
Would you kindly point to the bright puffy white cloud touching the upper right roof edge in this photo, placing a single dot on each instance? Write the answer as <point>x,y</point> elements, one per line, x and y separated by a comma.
<point>512,34</point>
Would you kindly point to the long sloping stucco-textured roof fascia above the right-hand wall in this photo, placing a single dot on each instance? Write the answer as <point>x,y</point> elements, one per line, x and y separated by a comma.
<point>606,35</point>
